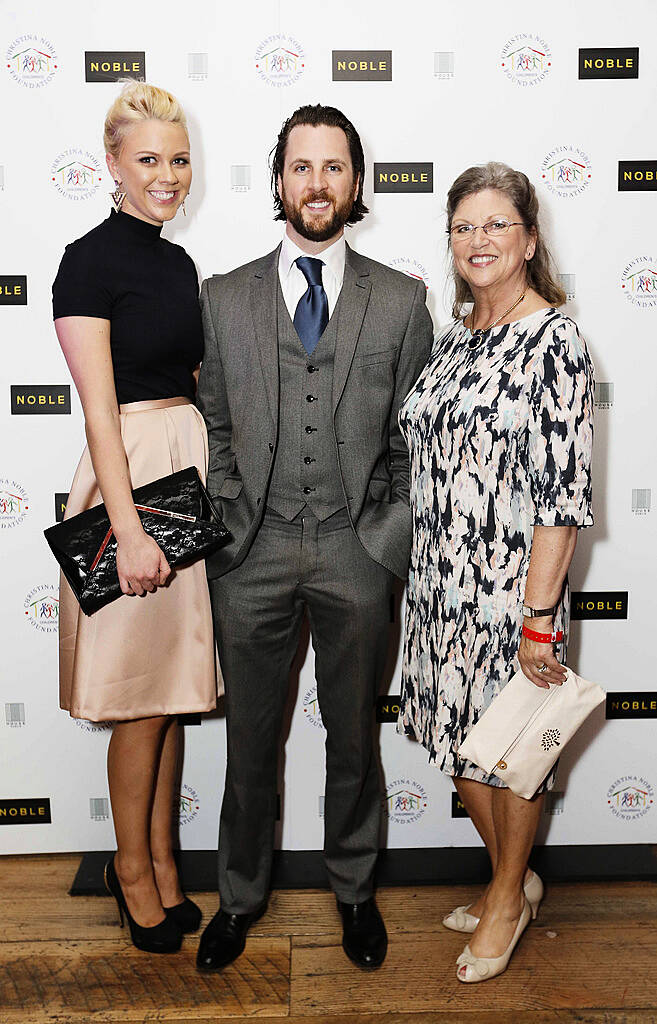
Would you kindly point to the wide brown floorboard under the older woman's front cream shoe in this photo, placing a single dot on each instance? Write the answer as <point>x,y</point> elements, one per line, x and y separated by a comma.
<point>579,968</point>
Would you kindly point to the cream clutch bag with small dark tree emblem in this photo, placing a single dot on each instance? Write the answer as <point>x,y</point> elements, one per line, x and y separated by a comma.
<point>523,732</point>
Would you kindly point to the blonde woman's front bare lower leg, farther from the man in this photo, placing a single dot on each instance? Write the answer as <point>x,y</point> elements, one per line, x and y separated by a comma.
<point>134,760</point>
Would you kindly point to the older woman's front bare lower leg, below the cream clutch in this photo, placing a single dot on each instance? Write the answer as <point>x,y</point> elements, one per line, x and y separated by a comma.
<point>515,824</point>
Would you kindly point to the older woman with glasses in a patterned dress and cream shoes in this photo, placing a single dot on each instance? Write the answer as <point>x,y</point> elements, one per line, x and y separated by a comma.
<point>500,433</point>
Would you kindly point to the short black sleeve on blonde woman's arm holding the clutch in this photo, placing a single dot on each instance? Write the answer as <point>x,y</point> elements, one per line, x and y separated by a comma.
<point>80,288</point>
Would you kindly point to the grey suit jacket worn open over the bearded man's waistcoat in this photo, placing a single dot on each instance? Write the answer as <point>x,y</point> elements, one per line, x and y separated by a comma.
<point>384,342</point>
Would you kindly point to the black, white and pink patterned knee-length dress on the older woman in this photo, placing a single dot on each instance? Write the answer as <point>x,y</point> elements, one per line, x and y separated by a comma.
<point>500,441</point>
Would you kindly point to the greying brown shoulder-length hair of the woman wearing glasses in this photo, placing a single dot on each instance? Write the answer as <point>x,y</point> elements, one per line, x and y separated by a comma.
<point>517,188</point>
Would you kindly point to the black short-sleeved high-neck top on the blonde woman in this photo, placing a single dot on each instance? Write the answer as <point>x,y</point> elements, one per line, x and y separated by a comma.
<point>123,271</point>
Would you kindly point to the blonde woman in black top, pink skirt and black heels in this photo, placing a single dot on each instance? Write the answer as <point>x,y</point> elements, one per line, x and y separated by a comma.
<point>126,313</point>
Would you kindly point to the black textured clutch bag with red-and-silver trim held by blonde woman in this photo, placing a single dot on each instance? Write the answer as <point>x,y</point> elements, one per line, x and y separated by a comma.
<point>177,511</point>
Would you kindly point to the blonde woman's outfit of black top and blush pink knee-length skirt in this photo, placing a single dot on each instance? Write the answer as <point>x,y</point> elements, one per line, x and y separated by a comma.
<point>140,657</point>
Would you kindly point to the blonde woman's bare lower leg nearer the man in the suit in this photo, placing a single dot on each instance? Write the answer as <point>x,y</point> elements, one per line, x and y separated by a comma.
<point>162,820</point>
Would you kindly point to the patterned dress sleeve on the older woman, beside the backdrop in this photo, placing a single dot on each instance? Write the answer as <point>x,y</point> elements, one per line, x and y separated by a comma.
<point>561,430</point>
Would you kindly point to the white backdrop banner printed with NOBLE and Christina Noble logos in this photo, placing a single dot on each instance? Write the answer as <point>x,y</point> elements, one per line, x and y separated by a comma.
<point>433,89</point>
